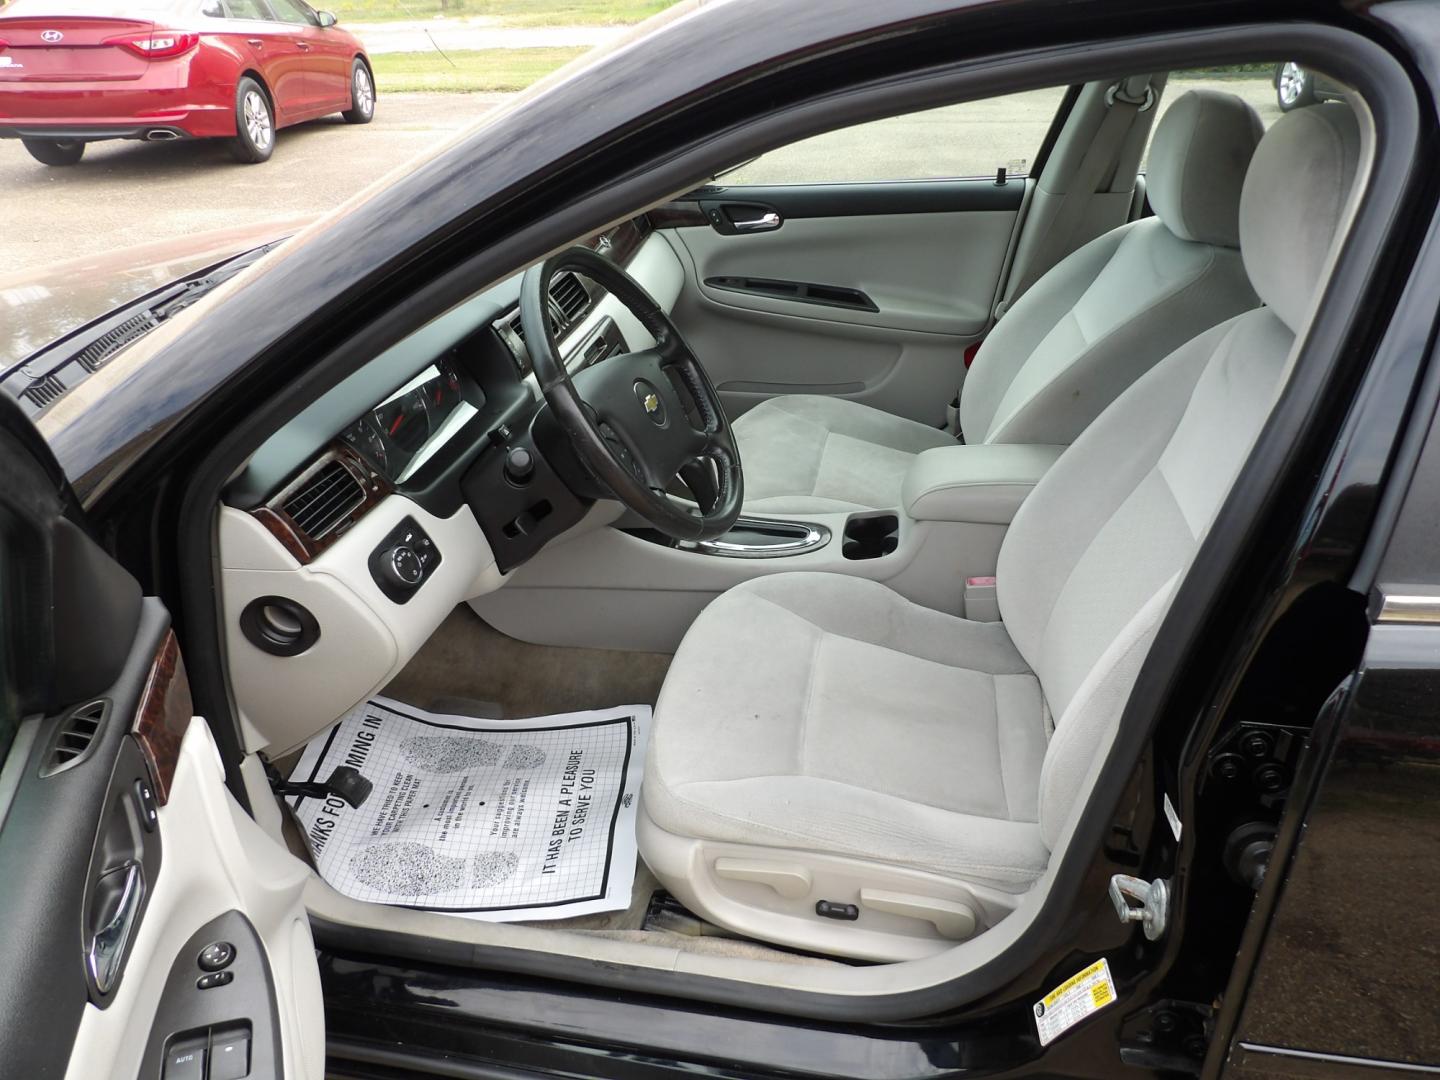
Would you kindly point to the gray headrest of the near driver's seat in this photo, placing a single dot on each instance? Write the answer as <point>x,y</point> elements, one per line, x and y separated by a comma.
<point>1292,204</point>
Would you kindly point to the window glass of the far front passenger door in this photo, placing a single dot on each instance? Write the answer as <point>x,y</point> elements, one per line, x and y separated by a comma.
<point>968,140</point>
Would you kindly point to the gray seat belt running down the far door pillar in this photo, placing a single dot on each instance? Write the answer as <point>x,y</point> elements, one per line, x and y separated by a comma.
<point>1124,102</point>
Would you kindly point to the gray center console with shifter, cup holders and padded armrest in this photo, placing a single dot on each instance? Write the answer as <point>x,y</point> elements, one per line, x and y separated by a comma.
<point>626,585</point>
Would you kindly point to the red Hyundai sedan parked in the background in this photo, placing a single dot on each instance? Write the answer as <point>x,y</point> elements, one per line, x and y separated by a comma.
<point>76,73</point>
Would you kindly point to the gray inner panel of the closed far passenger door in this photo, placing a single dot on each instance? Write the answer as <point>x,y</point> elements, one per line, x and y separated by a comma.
<point>866,292</point>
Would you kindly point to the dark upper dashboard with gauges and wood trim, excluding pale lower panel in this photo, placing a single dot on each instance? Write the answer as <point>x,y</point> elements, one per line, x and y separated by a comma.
<point>428,418</point>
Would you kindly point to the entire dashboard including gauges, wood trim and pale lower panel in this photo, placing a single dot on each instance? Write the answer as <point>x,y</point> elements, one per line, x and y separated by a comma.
<point>415,483</point>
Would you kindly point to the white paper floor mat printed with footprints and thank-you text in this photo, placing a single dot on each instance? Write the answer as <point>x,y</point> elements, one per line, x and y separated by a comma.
<point>499,820</point>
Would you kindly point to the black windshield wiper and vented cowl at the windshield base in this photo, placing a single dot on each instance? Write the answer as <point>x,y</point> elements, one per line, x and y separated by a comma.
<point>48,375</point>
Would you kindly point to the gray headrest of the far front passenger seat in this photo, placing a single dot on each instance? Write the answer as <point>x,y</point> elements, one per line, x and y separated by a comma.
<point>1199,161</point>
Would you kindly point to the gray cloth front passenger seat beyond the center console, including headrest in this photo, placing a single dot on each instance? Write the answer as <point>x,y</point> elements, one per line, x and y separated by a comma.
<point>1068,348</point>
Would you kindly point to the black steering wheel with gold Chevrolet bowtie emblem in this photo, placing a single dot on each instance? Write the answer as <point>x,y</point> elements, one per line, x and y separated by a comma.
<point>639,420</point>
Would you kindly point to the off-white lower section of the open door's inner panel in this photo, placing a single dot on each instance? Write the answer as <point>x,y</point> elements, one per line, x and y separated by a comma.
<point>233,882</point>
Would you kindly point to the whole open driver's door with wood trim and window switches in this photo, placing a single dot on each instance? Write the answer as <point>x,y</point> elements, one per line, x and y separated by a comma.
<point>149,928</point>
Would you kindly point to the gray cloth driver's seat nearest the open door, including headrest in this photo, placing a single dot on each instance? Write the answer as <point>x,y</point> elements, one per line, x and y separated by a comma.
<point>823,729</point>
